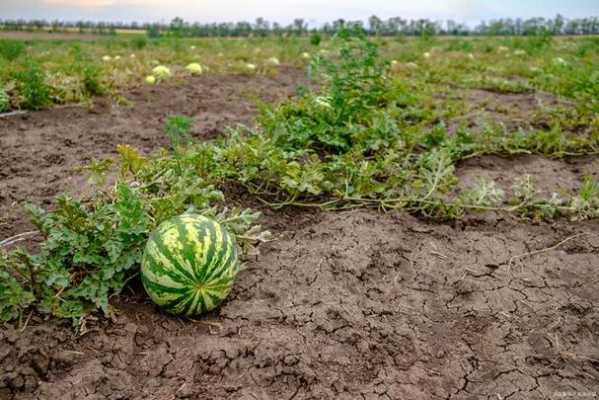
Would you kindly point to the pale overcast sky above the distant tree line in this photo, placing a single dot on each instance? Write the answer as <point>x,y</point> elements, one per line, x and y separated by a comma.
<point>314,11</point>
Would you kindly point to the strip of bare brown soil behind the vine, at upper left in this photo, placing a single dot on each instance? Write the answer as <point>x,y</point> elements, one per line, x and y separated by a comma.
<point>40,152</point>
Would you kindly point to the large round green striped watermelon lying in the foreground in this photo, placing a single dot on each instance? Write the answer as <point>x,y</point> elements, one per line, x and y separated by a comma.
<point>189,265</point>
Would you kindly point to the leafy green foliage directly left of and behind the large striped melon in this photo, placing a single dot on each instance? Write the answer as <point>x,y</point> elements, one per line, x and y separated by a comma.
<point>92,248</point>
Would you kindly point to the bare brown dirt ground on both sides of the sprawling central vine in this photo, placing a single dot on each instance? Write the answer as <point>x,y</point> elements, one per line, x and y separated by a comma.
<point>350,305</point>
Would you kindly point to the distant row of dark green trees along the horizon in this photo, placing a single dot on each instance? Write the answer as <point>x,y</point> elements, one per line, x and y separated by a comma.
<point>373,26</point>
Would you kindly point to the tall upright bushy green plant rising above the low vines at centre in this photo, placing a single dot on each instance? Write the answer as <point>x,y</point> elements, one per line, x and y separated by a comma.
<point>350,115</point>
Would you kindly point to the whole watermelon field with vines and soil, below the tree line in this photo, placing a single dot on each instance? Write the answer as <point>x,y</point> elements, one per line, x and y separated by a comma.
<point>414,217</point>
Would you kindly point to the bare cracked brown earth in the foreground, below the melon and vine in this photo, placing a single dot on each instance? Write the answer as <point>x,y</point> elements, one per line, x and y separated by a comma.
<point>353,305</point>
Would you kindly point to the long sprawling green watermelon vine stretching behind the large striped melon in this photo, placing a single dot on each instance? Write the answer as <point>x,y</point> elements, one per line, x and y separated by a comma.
<point>353,142</point>
